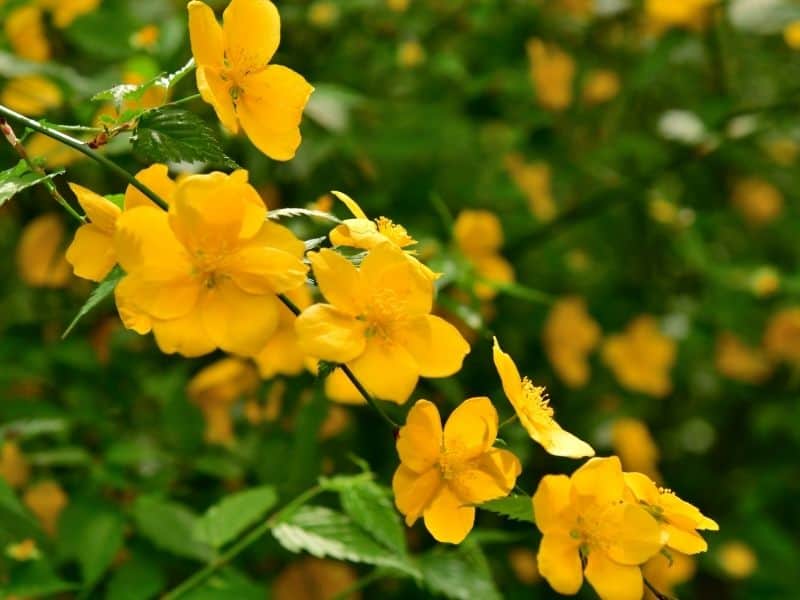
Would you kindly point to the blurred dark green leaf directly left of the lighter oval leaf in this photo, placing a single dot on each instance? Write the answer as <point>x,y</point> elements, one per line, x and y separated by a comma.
<point>170,526</point>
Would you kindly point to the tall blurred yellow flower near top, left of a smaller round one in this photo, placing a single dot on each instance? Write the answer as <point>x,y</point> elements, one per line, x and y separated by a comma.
<point>552,72</point>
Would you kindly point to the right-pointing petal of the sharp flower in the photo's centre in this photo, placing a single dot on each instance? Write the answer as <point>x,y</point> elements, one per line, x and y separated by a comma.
<point>436,345</point>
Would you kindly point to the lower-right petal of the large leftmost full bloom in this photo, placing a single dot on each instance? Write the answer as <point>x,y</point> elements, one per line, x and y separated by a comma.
<point>238,322</point>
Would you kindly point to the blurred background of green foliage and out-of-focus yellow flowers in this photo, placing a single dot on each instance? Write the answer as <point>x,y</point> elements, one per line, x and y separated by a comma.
<point>609,186</point>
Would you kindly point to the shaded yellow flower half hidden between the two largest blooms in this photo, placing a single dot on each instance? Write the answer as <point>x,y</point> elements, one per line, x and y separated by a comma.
<point>282,354</point>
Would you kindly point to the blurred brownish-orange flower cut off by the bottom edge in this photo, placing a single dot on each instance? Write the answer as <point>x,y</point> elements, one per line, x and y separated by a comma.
<point>312,578</point>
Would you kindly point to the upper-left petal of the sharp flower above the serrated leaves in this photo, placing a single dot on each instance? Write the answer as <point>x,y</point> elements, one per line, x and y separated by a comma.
<point>419,440</point>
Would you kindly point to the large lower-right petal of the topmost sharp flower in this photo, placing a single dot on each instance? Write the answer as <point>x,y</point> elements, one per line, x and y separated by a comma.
<point>270,109</point>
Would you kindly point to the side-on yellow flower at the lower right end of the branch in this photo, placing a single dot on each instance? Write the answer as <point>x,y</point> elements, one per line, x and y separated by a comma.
<point>678,519</point>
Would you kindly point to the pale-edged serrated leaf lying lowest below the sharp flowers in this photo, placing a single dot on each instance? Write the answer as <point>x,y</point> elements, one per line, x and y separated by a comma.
<point>323,532</point>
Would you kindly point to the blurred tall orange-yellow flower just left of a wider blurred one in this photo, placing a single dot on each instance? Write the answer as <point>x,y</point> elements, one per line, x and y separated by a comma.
<point>570,334</point>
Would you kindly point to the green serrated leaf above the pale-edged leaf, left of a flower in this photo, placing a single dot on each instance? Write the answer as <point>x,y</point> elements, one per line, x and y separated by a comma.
<point>370,506</point>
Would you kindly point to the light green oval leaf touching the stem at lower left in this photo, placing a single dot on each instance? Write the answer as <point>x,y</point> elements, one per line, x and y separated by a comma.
<point>224,521</point>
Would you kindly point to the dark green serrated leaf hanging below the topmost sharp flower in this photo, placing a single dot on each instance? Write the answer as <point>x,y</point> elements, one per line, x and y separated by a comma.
<point>174,135</point>
